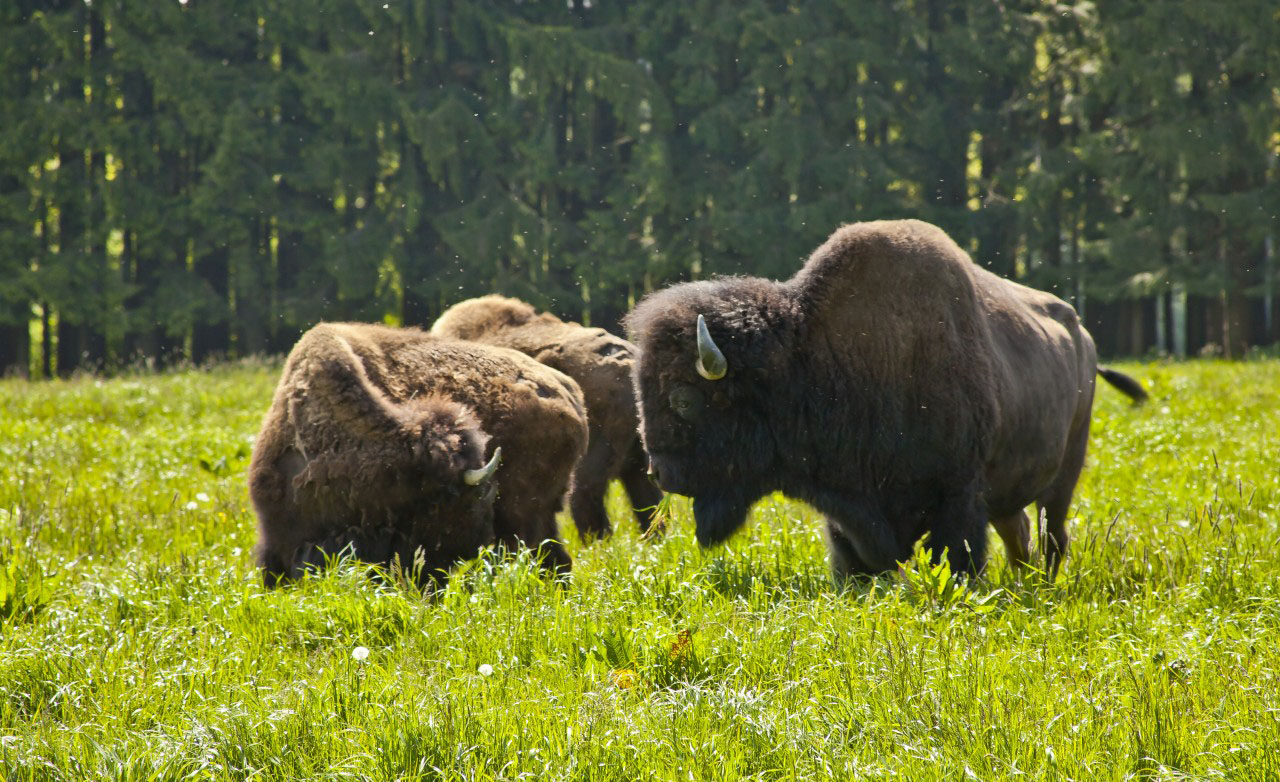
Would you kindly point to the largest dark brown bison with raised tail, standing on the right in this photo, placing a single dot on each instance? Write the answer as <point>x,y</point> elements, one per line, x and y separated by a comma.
<point>892,383</point>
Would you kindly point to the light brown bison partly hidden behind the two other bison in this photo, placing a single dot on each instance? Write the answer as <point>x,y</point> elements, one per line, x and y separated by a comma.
<point>601,363</point>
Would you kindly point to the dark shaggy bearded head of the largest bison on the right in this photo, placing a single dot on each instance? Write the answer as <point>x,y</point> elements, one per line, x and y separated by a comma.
<point>712,358</point>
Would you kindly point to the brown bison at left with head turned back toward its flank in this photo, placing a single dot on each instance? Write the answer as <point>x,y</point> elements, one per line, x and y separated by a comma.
<point>377,443</point>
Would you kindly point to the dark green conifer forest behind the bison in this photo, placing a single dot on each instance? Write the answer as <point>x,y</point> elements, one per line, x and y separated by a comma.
<point>194,180</point>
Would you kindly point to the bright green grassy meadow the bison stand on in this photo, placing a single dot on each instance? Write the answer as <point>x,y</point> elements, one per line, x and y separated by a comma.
<point>136,642</point>
